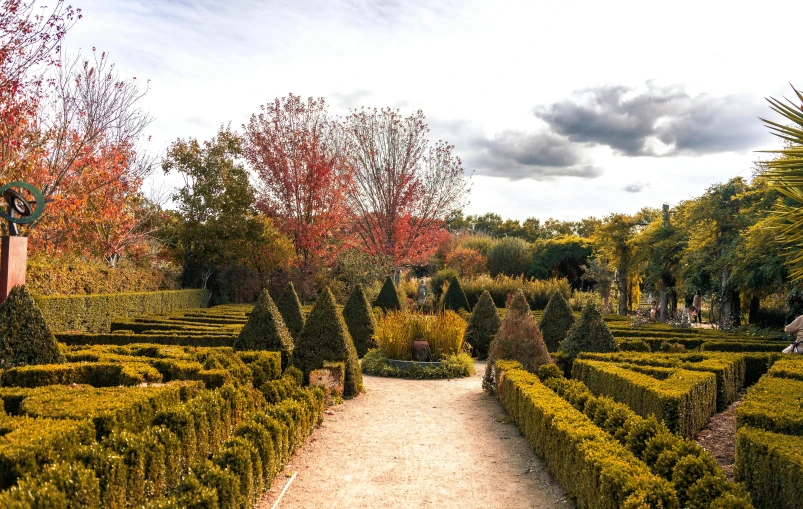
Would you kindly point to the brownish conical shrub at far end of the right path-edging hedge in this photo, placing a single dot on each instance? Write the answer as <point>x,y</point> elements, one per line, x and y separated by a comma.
<point>519,338</point>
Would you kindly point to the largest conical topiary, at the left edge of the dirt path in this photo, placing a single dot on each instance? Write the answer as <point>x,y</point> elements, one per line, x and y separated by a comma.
<point>326,338</point>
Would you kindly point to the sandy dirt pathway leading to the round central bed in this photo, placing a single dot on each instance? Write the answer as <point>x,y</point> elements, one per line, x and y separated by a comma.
<point>418,444</point>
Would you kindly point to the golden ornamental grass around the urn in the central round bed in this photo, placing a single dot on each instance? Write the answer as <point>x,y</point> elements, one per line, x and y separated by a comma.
<point>396,331</point>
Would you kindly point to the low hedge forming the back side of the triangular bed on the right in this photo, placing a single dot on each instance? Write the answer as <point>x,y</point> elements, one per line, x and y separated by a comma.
<point>729,369</point>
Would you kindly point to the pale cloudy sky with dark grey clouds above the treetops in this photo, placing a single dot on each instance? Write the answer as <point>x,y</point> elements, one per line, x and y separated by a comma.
<point>559,109</point>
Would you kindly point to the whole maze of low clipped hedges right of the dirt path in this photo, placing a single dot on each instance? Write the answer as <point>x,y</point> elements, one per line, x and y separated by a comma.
<point>602,420</point>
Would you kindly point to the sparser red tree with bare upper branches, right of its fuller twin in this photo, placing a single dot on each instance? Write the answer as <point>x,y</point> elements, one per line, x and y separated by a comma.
<point>403,188</point>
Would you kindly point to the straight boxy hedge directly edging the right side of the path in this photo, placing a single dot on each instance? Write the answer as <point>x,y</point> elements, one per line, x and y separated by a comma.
<point>594,469</point>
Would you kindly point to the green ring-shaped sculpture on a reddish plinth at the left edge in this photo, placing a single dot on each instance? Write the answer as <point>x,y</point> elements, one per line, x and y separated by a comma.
<point>16,208</point>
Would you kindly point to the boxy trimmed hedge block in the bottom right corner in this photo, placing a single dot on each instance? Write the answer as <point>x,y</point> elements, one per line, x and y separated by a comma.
<point>769,465</point>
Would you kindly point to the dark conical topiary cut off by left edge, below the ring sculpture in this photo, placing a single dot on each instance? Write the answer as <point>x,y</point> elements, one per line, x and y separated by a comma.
<point>24,335</point>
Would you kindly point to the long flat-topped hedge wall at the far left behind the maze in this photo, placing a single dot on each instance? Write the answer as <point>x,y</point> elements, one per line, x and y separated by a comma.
<point>94,313</point>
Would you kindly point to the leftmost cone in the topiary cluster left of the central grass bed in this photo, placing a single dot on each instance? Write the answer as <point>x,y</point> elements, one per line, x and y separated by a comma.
<point>265,330</point>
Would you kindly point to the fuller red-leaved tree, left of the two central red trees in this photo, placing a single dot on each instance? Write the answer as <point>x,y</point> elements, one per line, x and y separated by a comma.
<point>297,153</point>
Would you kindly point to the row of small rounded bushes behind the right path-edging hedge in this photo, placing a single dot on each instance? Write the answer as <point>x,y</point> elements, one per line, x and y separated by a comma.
<point>693,472</point>
